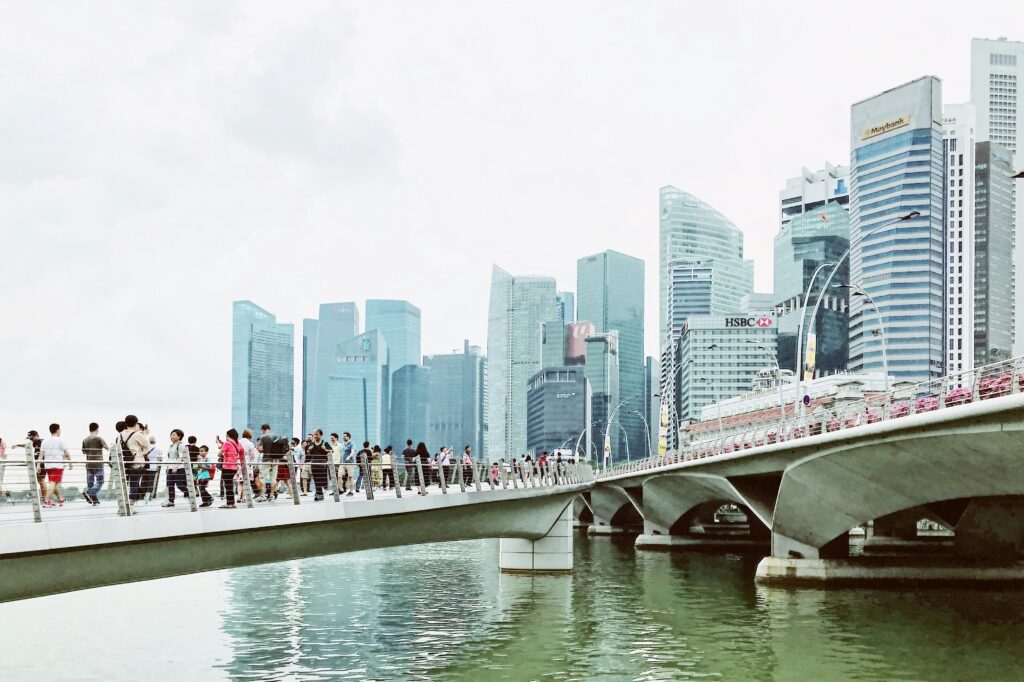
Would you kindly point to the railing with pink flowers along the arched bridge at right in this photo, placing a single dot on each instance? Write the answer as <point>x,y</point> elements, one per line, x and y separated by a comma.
<point>990,381</point>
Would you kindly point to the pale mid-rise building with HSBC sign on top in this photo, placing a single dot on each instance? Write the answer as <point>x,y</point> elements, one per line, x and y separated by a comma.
<point>721,356</point>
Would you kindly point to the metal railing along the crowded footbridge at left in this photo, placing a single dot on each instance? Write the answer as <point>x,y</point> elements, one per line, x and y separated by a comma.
<point>119,486</point>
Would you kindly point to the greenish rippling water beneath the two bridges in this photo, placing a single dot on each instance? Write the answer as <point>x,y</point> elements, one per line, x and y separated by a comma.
<point>445,613</point>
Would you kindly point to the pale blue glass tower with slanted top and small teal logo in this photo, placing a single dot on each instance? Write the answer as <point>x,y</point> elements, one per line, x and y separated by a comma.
<point>357,388</point>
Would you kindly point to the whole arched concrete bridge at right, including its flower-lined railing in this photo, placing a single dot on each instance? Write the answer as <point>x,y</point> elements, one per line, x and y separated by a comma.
<point>950,451</point>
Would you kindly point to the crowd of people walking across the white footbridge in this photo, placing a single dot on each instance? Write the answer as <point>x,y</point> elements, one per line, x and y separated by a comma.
<point>264,466</point>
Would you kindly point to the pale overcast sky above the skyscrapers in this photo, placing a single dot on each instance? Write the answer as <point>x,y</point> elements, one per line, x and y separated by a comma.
<point>161,160</point>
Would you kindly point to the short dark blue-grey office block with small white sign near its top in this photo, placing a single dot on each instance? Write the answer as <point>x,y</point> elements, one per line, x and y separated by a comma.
<point>559,411</point>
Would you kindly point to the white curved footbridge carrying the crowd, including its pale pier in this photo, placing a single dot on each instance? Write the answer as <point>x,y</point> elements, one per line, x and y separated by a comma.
<point>54,550</point>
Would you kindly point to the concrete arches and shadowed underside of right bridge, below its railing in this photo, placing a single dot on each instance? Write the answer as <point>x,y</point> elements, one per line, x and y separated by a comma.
<point>935,501</point>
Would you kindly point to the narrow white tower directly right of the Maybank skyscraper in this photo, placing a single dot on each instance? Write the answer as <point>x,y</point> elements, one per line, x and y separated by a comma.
<point>958,126</point>
